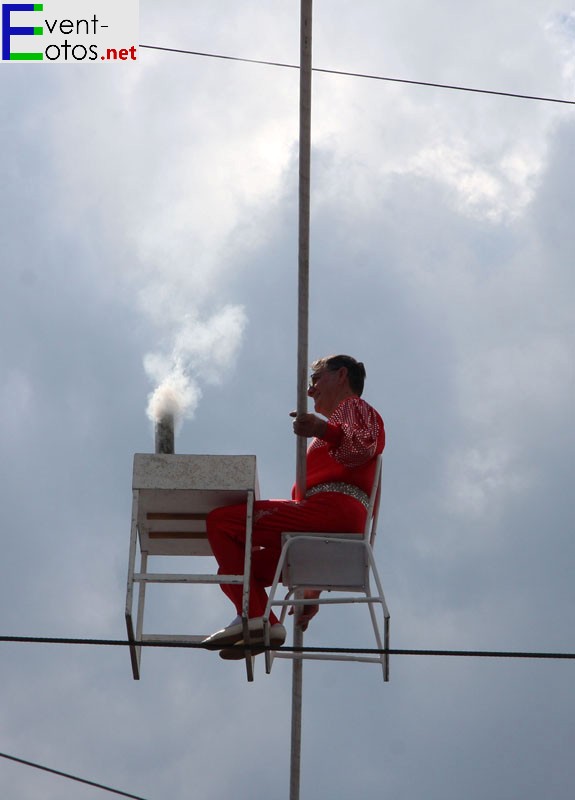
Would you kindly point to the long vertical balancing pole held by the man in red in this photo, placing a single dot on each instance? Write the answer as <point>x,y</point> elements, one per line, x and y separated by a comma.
<point>303,315</point>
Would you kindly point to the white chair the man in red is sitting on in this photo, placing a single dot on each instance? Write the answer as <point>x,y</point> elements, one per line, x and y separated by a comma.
<point>341,564</point>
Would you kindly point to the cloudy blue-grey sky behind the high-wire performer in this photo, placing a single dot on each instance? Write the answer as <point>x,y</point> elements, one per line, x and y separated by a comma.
<point>149,231</point>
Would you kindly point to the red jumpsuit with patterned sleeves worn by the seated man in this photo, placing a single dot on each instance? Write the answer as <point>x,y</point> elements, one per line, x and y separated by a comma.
<point>354,437</point>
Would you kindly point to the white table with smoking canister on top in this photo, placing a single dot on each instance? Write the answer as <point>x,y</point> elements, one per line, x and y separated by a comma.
<point>172,496</point>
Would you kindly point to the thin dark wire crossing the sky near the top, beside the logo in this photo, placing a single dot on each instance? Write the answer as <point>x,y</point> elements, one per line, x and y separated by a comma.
<point>366,76</point>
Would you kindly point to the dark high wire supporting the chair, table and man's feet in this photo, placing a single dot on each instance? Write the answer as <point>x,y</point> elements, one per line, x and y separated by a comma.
<point>307,649</point>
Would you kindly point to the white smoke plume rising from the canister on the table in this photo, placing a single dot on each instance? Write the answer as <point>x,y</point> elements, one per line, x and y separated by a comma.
<point>202,351</point>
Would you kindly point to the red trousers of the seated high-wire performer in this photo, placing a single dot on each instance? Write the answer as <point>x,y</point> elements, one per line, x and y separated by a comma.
<point>226,527</point>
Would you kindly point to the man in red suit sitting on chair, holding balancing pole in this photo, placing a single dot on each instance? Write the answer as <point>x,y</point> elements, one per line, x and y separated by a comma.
<point>340,469</point>
